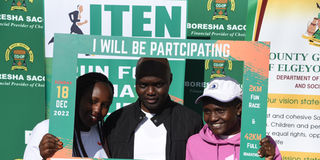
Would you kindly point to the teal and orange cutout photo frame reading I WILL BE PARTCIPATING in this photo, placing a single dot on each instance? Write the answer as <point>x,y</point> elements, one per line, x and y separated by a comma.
<point>255,77</point>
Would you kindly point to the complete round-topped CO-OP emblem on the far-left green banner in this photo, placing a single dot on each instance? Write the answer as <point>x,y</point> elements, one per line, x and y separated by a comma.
<point>19,53</point>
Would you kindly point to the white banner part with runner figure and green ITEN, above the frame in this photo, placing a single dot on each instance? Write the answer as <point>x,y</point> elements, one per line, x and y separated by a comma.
<point>139,18</point>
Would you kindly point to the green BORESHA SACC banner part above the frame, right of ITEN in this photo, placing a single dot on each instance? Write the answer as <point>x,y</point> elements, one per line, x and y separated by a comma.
<point>220,19</point>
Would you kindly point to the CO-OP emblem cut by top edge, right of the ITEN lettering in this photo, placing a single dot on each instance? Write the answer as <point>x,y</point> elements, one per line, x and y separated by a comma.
<point>220,8</point>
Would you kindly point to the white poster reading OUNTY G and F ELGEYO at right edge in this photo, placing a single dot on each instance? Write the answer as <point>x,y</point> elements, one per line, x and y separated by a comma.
<point>294,79</point>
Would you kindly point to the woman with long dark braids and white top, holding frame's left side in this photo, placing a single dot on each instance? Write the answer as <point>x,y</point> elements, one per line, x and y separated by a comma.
<point>93,98</point>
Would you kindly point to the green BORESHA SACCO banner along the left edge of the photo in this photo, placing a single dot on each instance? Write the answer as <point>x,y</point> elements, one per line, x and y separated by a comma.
<point>22,78</point>
